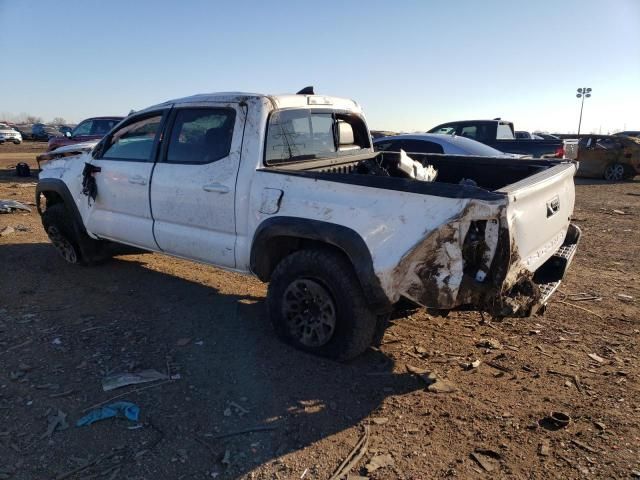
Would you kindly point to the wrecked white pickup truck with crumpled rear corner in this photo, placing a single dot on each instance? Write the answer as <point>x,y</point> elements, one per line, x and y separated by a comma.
<point>289,188</point>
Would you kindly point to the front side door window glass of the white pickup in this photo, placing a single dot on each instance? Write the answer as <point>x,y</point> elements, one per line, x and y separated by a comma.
<point>134,140</point>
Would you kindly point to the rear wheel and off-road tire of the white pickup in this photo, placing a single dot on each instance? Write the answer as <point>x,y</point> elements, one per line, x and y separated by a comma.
<point>354,323</point>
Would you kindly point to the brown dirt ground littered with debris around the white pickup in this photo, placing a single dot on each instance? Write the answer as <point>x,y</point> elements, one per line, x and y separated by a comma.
<point>63,328</point>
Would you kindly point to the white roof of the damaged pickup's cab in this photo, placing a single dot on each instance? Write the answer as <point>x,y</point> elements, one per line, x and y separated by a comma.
<point>280,100</point>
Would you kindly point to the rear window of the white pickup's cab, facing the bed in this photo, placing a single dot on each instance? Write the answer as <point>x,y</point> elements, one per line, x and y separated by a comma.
<point>303,134</point>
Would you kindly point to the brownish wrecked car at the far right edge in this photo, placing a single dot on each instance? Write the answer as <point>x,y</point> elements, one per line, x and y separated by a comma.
<point>611,157</point>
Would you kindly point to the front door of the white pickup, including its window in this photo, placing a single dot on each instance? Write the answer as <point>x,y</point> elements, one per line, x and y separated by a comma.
<point>121,210</point>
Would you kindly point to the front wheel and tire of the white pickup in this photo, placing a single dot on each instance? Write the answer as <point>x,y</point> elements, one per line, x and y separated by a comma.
<point>75,246</point>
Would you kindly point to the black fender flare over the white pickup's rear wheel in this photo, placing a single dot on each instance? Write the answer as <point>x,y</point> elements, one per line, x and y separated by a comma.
<point>338,236</point>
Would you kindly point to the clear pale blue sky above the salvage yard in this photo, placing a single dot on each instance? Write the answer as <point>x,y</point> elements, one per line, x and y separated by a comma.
<point>411,64</point>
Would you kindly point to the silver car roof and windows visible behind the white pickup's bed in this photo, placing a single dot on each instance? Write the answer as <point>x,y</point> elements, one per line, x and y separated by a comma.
<point>438,143</point>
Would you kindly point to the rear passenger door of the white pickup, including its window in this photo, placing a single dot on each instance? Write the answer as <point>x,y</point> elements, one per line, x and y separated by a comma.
<point>193,187</point>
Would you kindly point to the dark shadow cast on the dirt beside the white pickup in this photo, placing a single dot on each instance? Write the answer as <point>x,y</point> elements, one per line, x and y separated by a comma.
<point>235,374</point>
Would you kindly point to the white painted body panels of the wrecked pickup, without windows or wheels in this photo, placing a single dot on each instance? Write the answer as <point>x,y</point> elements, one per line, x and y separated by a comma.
<point>406,233</point>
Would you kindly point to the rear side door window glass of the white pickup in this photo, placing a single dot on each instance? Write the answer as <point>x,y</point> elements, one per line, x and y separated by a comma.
<point>201,135</point>
